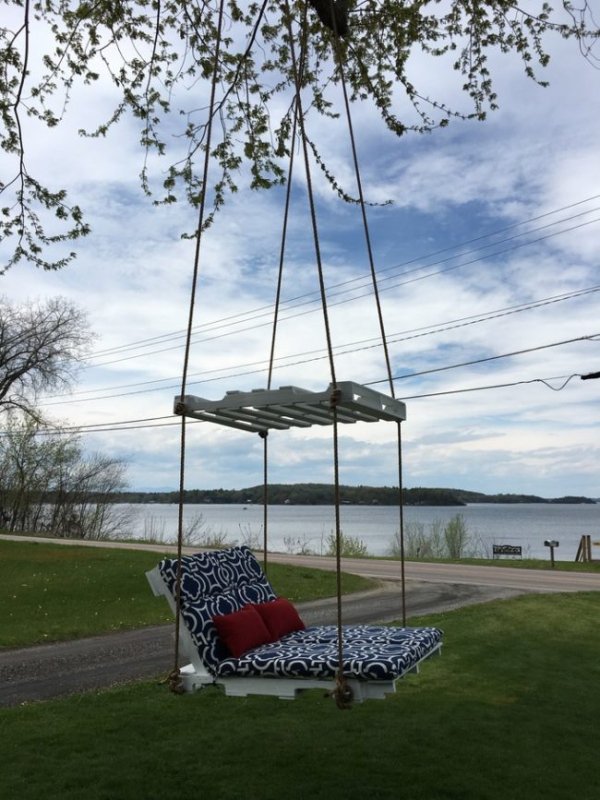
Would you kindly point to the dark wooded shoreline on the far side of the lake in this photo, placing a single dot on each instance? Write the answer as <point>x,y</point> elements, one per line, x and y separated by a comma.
<point>323,494</point>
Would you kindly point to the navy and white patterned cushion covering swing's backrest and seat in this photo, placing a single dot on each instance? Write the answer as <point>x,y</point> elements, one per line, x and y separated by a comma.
<point>221,582</point>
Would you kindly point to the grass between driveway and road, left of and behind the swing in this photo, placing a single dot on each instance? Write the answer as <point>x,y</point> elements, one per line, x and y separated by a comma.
<point>52,592</point>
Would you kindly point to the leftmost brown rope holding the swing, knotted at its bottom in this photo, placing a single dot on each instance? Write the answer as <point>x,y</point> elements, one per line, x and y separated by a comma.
<point>174,679</point>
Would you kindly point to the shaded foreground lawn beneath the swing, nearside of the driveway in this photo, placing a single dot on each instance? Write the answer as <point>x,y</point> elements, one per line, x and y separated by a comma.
<point>509,712</point>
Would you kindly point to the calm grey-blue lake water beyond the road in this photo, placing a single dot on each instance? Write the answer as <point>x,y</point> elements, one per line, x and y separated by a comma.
<point>294,527</point>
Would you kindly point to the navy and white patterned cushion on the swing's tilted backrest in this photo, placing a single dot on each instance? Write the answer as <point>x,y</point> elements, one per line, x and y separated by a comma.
<point>214,583</point>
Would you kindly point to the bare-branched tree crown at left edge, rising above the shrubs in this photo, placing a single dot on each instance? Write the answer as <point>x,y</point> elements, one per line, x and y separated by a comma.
<point>41,345</point>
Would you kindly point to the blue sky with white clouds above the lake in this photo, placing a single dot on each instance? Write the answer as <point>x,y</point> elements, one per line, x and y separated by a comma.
<point>487,263</point>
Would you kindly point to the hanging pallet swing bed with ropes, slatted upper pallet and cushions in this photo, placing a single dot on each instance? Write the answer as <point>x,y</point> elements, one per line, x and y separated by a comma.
<point>229,622</point>
